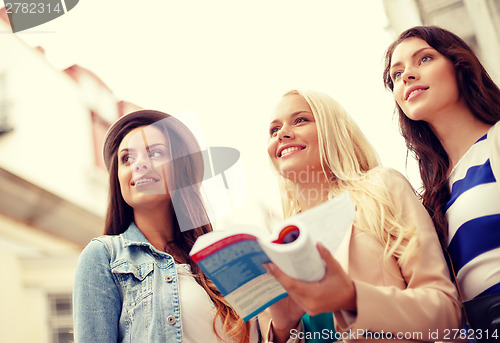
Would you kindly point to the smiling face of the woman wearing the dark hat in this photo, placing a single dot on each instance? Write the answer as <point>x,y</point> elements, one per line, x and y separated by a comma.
<point>142,173</point>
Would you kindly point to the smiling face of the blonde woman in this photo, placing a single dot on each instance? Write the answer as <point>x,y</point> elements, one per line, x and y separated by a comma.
<point>293,143</point>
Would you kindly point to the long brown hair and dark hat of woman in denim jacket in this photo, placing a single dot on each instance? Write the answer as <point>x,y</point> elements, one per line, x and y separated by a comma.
<point>187,169</point>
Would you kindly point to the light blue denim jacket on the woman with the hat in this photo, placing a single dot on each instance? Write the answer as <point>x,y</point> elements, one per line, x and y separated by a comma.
<point>126,291</point>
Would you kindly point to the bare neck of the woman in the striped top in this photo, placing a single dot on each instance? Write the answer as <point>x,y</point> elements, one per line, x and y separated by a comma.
<point>458,132</point>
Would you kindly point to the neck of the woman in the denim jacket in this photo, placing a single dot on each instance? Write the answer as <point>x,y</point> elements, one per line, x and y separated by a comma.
<point>156,226</point>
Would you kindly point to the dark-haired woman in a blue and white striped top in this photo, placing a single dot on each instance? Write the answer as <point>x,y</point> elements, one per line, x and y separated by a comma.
<point>449,109</point>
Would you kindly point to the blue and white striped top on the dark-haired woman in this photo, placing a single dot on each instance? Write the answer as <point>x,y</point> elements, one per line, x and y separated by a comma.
<point>473,214</point>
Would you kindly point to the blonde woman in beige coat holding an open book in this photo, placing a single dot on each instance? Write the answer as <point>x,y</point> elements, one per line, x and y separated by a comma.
<point>392,281</point>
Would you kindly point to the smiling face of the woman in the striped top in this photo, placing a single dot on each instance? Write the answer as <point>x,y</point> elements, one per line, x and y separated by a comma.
<point>425,84</point>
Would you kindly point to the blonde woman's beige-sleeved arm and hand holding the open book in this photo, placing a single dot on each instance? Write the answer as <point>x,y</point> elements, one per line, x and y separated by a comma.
<point>428,301</point>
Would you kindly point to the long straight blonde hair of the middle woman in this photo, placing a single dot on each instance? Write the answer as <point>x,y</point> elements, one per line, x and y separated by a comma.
<point>345,151</point>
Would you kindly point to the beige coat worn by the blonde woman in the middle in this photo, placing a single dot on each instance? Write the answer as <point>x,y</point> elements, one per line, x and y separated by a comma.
<point>415,299</point>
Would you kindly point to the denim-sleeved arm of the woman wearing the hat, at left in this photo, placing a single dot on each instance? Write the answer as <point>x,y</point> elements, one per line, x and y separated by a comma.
<point>96,298</point>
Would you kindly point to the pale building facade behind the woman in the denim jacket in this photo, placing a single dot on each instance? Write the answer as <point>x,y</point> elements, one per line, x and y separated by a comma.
<point>53,186</point>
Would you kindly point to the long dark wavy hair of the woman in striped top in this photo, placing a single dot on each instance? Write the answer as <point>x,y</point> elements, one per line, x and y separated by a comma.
<point>481,95</point>
